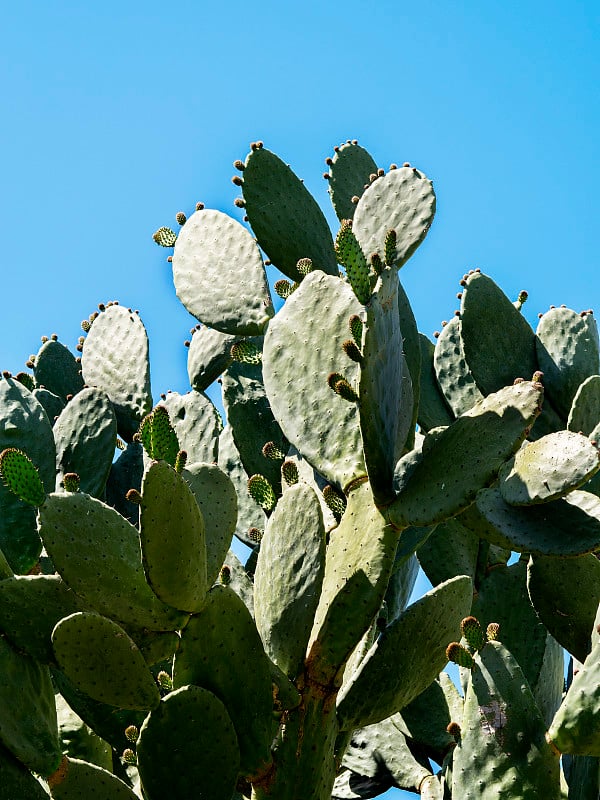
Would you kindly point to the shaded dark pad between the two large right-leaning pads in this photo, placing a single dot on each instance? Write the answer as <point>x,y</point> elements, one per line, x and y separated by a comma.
<point>451,550</point>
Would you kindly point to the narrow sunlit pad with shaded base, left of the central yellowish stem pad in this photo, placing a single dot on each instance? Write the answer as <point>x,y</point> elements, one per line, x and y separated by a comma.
<point>289,576</point>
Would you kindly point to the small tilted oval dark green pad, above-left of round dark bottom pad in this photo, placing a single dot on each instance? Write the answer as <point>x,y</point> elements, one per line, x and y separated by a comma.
<point>100,658</point>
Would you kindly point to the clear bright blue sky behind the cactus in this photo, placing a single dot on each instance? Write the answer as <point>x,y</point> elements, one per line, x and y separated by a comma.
<point>117,115</point>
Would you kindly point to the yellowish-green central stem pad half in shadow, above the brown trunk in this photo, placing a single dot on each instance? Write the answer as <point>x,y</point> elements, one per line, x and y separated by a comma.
<point>359,562</point>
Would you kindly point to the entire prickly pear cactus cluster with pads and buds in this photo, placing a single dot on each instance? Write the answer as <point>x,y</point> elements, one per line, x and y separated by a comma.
<point>141,659</point>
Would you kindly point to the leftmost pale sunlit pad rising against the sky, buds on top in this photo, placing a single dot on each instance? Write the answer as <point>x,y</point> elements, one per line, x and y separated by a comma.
<point>115,359</point>
